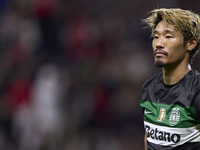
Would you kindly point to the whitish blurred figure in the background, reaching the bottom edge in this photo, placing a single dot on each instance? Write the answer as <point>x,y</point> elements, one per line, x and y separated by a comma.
<point>46,117</point>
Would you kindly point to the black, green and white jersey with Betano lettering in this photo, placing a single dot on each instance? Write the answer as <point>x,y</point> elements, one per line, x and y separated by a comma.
<point>172,112</point>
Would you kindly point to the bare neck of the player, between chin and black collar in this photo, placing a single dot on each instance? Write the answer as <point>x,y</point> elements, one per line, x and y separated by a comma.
<point>171,75</point>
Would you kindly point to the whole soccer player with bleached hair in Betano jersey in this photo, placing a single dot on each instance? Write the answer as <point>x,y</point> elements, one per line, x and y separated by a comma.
<point>170,99</point>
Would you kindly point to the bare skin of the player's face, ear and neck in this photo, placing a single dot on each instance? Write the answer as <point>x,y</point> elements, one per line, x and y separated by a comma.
<point>171,53</point>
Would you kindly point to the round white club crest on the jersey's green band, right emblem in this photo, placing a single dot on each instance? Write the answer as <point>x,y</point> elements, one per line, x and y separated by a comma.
<point>174,116</point>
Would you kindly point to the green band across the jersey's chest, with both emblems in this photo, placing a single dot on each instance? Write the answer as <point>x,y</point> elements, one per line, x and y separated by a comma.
<point>177,116</point>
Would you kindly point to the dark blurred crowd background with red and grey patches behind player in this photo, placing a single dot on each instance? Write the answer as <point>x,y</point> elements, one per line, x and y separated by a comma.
<point>71,72</point>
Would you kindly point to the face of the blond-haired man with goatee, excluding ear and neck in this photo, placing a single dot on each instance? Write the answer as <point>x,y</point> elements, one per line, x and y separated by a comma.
<point>168,45</point>
